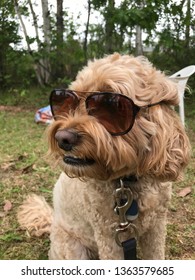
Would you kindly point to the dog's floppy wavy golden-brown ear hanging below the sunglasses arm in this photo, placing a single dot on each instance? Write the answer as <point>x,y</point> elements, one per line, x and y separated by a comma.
<point>169,146</point>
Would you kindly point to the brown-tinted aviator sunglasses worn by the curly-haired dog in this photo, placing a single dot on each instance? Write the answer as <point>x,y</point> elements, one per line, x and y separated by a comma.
<point>114,111</point>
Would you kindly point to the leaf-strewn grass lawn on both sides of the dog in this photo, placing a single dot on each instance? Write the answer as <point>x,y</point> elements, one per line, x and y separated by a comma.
<point>23,169</point>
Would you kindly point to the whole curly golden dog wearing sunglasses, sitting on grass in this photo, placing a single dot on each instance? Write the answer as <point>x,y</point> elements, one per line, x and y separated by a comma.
<point>115,129</point>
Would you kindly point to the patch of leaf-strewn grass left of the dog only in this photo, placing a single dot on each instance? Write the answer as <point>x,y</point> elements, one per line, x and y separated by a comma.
<point>23,169</point>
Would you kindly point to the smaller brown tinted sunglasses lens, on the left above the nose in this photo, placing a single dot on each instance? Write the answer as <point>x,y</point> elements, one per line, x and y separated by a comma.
<point>62,102</point>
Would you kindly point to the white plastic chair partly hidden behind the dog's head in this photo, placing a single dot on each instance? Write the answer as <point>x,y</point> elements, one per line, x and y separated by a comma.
<point>181,77</point>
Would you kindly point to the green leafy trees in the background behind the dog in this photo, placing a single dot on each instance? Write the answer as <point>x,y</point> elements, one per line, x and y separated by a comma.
<point>166,26</point>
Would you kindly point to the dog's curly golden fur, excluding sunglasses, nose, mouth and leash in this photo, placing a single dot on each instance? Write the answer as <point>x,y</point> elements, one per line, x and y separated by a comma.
<point>156,150</point>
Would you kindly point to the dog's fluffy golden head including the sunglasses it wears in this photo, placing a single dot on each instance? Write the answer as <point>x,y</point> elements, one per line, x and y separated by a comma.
<point>92,138</point>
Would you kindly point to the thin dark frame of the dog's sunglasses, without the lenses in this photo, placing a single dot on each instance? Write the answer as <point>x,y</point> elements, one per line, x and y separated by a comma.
<point>135,107</point>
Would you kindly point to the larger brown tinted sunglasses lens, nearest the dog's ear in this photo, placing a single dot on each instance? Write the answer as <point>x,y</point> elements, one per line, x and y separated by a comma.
<point>114,111</point>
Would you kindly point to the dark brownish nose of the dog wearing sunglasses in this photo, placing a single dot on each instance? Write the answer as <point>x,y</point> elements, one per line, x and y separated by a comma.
<point>66,139</point>
